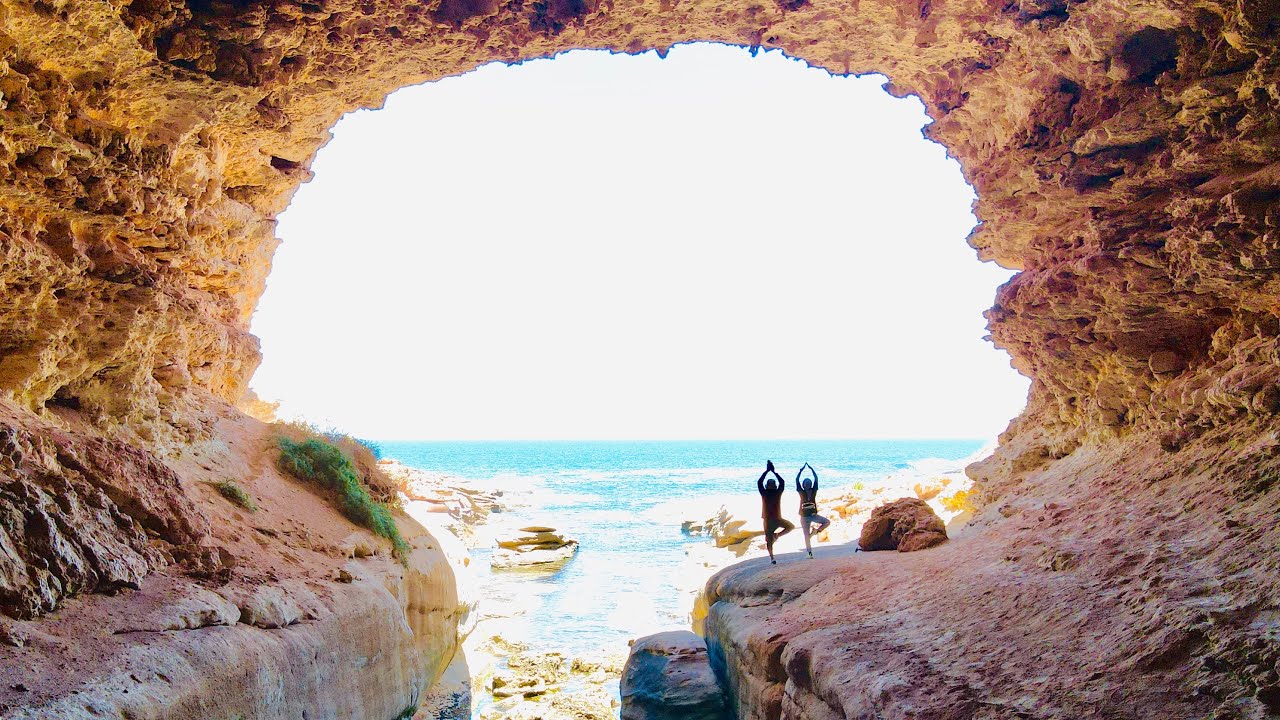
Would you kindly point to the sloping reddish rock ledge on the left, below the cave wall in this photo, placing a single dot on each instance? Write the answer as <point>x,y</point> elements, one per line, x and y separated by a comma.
<point>132,589</point>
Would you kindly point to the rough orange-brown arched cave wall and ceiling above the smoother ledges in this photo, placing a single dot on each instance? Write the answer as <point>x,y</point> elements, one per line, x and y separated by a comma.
<point>1124,158</point>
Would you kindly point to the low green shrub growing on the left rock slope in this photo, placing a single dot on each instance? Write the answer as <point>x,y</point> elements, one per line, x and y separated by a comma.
<point>322,463</point>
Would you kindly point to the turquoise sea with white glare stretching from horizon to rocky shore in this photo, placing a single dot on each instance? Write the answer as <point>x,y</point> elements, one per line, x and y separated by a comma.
<point>611,496</point>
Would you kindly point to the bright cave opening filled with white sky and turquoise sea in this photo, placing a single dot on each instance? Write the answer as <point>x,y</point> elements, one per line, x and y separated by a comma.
<point>607,286</point>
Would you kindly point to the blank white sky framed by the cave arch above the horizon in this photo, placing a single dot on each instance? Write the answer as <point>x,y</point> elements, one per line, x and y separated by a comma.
<point>610,247</point>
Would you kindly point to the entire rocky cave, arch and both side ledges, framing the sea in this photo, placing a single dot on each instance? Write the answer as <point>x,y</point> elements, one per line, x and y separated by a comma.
<point>1124,558</point>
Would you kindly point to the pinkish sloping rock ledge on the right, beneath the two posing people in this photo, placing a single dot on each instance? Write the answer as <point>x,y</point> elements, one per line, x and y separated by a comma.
<point>1048,607</point>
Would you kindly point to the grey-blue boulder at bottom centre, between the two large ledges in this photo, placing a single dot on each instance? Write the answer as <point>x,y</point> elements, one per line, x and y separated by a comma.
<point>669,677</point>
